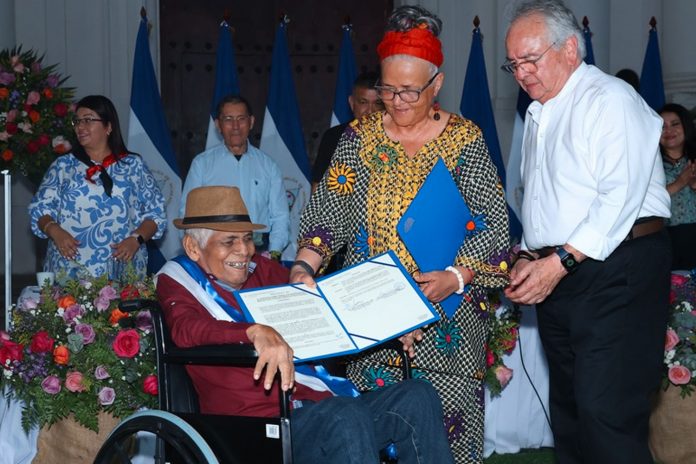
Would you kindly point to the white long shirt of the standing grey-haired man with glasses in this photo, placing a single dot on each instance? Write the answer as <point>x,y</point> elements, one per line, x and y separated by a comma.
<point>591,165</point>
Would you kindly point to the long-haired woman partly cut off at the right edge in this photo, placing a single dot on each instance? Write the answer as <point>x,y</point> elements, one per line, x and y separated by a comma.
<point>678,147</point>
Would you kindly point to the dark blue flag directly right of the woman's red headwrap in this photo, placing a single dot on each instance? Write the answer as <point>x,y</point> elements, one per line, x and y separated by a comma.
<point>476,106</point>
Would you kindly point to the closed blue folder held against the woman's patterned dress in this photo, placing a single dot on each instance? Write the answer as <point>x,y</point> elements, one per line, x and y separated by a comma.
<point>434,226</point>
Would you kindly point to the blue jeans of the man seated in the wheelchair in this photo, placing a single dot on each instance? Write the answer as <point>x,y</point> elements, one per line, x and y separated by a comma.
<point>342,430</point>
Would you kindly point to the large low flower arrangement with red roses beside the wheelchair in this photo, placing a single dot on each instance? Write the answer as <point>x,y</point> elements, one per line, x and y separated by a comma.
<point>75,352</point>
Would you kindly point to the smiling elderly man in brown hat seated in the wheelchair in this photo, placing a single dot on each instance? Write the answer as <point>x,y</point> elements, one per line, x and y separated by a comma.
<point>195,293</point>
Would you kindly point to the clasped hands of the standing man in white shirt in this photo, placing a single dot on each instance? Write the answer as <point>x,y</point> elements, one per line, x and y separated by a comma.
<point>532,281</point>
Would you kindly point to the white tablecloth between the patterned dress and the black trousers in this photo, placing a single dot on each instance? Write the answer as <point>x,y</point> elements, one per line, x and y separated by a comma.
<point>515,420</point>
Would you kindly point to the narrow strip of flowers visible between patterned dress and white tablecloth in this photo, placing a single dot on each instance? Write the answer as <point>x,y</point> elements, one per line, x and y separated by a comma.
<point>501,340</point>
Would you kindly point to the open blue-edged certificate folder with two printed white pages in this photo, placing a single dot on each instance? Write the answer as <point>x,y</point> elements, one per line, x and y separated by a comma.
<point>349,311</point>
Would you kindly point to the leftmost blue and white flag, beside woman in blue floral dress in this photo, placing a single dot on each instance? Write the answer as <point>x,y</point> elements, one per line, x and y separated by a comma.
<point>149,136</point>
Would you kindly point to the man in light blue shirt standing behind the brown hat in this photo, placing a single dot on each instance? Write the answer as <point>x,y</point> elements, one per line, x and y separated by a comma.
<point>237,163</point>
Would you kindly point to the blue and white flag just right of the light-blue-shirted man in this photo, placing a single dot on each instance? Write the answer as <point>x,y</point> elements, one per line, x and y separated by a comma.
<point>282,137</point>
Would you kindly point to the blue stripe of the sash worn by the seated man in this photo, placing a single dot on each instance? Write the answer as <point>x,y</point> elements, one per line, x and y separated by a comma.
<point>337,385</point>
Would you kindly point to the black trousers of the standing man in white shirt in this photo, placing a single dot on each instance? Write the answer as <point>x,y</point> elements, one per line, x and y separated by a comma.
<point>603,331</point>
